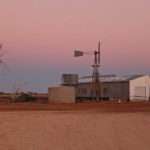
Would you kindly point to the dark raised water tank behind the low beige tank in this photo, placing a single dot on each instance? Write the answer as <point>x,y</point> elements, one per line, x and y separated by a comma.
<point>70,79</point>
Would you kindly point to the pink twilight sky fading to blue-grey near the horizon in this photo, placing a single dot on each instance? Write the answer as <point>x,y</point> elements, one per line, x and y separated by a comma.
<point>39,36</point>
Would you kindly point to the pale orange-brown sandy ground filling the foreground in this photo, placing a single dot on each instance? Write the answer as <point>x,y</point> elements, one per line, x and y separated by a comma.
<point>79,130</point>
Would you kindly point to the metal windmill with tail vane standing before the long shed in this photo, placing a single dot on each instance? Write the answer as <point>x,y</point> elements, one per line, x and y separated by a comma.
<point>96,85</point>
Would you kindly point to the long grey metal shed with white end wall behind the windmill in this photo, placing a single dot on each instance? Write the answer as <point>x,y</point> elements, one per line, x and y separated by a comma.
<point>133,87</point>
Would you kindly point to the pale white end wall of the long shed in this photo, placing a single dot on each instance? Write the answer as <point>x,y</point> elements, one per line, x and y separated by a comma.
<point>139,86</point>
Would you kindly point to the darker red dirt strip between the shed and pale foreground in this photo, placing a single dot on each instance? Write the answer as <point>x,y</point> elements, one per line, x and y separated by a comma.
<point>88,106</point>
